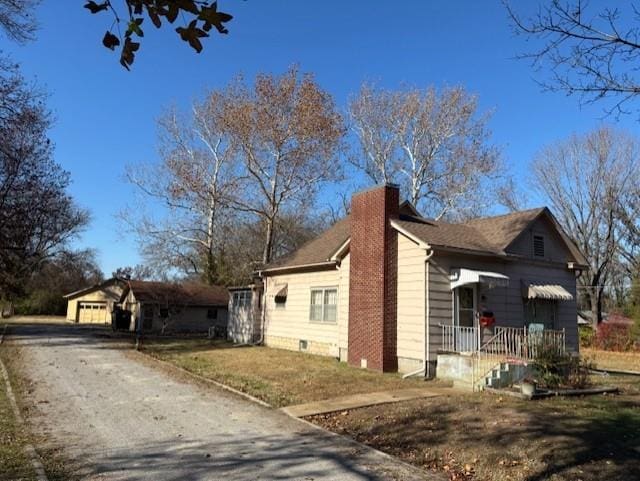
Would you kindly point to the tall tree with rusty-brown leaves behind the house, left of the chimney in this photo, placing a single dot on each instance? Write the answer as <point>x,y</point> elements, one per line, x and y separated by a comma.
<point>287,132</point>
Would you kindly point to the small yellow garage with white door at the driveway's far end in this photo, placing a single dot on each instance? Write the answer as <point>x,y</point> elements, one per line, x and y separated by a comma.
<point>94,304</point>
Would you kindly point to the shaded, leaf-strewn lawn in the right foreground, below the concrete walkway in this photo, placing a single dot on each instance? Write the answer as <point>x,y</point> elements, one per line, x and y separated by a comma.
<point>487,437</point>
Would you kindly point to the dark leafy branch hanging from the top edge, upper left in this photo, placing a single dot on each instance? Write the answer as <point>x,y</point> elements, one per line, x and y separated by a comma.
<point>203,16</point>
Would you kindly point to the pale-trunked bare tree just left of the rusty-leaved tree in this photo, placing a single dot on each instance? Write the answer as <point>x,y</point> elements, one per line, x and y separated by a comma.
<point>192,182</point>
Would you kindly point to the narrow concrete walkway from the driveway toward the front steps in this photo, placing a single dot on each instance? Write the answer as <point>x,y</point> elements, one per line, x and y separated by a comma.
<point>363,400</point>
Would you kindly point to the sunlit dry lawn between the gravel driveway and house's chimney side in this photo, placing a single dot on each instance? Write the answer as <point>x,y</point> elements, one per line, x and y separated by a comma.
<point>276,376</point>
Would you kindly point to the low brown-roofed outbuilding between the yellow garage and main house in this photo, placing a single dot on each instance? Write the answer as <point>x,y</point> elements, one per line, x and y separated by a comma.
<point>164,306</point>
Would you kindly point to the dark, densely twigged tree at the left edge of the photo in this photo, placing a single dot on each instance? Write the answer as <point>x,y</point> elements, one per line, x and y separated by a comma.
<point>38,218</point>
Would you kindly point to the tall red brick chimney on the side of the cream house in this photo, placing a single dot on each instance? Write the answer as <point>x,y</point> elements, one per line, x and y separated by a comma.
<point>372,279</point>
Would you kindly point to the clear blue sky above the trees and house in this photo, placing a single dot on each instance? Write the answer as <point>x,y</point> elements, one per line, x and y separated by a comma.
<point>105,116</point>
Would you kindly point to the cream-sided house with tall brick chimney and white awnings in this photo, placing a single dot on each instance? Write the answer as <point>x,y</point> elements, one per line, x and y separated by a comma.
<point>389,290</point>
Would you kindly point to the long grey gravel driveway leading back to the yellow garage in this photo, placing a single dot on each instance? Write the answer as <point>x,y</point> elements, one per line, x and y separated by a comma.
<point>118,419</point>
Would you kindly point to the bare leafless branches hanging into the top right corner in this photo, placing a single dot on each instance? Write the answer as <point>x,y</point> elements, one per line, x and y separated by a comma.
<point>589,53</point>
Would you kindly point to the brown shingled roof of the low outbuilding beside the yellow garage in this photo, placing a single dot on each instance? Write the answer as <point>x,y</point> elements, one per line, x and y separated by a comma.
<point>187,294</point>
